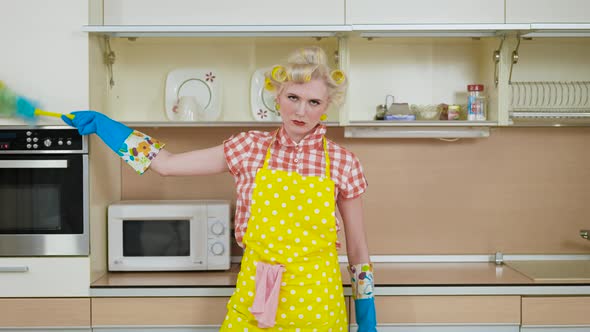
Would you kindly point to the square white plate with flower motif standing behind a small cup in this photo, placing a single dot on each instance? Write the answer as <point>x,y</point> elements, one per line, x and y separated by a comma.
<point>202,84</point>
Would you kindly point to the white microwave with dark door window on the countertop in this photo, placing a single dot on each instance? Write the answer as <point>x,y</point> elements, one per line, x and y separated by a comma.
<point>189,235</point>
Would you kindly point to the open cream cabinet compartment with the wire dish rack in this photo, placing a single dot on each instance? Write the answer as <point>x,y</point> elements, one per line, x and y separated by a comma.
<point>550,83</point>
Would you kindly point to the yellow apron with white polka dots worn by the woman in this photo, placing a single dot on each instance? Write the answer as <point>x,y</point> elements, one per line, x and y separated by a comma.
<point>292,223</point>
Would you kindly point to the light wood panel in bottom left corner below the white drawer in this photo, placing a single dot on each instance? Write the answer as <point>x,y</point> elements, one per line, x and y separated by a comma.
<point>59,314</point>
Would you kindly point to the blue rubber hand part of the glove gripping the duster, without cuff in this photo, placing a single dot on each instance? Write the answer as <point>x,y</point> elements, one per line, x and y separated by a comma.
<point>111,132</point>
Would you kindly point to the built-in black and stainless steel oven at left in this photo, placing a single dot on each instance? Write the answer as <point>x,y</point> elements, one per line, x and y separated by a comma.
<point>43,192</point>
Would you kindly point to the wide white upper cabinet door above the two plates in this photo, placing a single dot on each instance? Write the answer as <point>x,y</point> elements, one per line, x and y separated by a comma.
<point>223,12</point>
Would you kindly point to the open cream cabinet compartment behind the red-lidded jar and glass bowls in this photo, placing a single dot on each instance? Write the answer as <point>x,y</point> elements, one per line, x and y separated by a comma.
<point>420,71</point>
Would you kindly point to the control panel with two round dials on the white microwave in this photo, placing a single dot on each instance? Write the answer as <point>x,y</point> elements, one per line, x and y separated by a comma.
<point>218,236</point>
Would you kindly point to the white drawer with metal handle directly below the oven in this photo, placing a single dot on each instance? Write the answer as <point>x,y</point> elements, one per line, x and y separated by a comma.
<point>44,277</point>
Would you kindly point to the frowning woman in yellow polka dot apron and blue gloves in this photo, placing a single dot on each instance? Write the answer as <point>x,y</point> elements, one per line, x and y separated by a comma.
<point>288,184</point>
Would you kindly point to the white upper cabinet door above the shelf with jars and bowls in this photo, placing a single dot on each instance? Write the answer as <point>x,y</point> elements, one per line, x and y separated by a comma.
<point>425,11</point>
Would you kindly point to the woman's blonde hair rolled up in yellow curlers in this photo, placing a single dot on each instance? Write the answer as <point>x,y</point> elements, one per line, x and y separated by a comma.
<point>302,66</point>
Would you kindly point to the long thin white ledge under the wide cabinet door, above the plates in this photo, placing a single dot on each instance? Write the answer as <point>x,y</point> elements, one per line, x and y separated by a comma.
<point>131,31</point>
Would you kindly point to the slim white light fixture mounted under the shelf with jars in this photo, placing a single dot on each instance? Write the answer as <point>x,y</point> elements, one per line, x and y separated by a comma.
<point>406,132</point>
